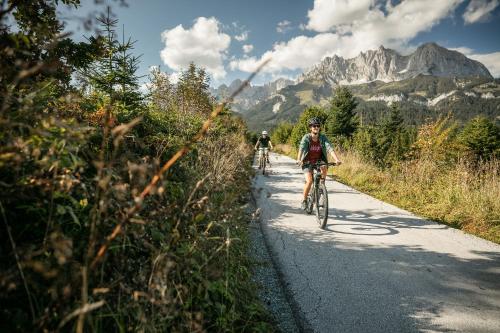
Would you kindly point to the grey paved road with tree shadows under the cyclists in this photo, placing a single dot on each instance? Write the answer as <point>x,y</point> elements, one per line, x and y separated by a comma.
<point>376,268</point>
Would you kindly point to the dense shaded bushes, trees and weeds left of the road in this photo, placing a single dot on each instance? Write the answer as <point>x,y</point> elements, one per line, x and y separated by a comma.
<point>103,227</point>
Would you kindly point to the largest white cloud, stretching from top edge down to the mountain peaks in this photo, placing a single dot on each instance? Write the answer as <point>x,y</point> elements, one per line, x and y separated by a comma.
<point>349,27</point>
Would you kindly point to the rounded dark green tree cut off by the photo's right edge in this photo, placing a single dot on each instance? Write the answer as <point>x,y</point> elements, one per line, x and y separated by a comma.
<point>481,137</point>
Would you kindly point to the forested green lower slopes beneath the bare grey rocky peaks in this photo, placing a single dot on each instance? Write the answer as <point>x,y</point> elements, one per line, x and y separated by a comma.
<point>421,97</point>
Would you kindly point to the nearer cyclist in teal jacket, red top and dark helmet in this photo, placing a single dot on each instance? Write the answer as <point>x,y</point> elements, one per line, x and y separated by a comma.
<point>314,146</point>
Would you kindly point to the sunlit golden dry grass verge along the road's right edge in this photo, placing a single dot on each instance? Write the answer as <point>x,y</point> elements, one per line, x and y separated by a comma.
<point>461,195</point>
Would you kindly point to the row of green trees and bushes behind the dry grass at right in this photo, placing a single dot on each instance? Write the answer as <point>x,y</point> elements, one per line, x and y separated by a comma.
<point>391,140</point>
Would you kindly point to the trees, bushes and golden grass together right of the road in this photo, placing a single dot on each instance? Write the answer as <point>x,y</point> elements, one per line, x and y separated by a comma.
<point>444,170</point>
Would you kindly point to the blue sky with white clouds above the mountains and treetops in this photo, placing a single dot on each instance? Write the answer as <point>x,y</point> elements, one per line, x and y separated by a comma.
<point>230,38</point>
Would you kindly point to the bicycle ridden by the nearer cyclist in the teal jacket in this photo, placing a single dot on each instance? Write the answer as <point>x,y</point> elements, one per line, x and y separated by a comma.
<point>318,195</point>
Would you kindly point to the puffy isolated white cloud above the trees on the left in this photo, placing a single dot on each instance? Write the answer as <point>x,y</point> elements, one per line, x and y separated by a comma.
<point>204,44</point>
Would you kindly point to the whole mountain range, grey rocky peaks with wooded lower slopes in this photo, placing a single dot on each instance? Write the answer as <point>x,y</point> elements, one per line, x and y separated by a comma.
<point>428,82</point>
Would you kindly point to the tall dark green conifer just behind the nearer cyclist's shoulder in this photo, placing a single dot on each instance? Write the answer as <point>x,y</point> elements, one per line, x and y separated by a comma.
<point>342,120</point>
